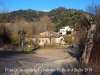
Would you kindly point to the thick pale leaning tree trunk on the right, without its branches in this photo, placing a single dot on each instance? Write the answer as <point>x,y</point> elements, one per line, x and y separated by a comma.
<point>88,45</point>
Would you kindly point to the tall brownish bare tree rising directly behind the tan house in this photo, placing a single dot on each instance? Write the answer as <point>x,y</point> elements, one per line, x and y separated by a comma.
<point>45,24</point>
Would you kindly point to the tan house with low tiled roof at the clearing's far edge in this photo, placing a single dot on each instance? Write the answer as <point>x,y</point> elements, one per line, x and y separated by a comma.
<point>49,38</point>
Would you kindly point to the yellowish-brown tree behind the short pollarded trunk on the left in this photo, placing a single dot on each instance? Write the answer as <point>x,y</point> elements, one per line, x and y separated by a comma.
<point>20,25</point>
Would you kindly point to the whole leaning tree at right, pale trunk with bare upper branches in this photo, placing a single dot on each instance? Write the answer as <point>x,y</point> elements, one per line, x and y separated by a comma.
<point>94,10</point>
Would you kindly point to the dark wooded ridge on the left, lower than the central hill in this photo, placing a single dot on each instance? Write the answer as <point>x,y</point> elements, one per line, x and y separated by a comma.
<point>29,15</point>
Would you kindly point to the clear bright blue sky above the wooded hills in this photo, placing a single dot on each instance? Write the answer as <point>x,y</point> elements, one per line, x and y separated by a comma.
<point>46,5</point>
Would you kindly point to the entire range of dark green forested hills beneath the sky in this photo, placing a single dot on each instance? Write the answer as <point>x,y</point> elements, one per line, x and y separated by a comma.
<point>60,16</point>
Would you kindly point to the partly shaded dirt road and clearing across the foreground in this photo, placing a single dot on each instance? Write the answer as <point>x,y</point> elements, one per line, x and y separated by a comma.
<point>39,62</point>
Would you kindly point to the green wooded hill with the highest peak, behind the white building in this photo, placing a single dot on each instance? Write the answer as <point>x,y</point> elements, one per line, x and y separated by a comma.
<point>65,17</point>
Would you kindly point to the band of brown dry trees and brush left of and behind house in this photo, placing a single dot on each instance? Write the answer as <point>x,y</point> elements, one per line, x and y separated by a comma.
<point>10,30</point>
